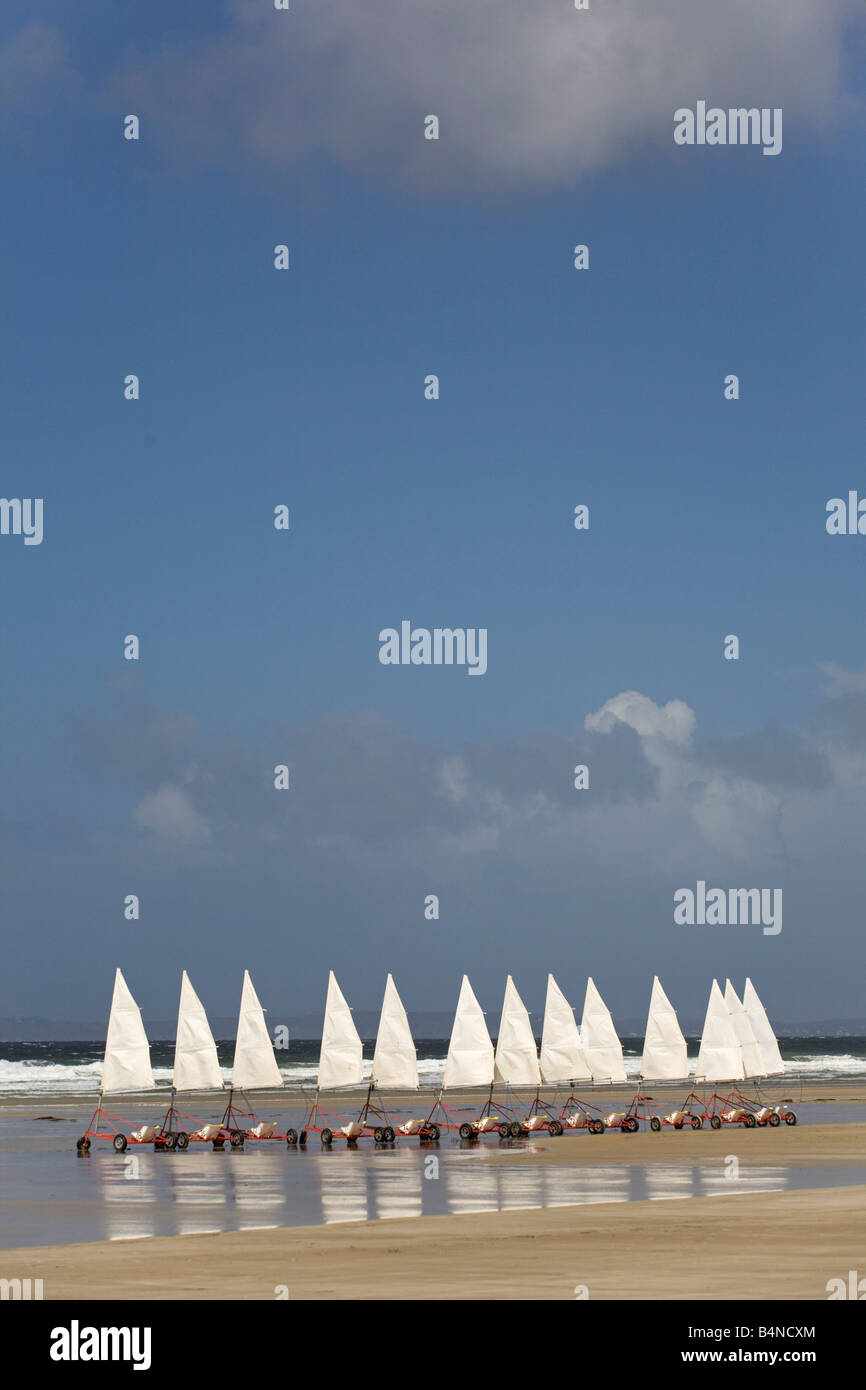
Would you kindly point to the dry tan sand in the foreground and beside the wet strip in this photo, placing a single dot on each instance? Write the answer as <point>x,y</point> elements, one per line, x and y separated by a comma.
<point>737,1248</point>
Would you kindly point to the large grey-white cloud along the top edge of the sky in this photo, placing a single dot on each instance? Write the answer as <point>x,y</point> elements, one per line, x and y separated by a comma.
<point>529,92</point>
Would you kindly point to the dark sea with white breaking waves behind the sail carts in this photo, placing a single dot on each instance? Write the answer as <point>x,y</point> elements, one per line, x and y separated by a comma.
<point>52,1068</point>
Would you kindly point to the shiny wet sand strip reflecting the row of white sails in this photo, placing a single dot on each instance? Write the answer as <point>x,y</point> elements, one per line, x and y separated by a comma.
<point>131,1197</point>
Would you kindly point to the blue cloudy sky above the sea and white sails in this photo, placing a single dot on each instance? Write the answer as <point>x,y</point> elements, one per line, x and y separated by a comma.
<point>601,387</point>
